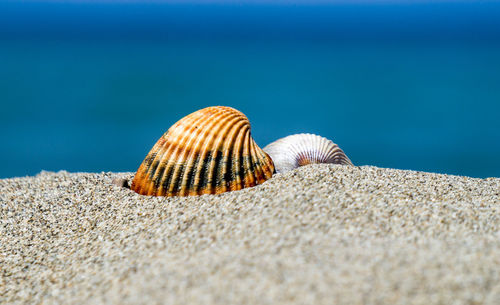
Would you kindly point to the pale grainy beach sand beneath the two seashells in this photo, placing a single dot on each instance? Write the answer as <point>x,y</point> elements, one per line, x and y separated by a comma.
<point>322,234</point>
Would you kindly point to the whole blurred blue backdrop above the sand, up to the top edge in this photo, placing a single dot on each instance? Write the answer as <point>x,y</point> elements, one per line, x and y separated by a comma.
<point>90,86</point>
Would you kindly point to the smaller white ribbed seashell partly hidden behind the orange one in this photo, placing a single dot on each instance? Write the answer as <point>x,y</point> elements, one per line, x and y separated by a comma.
<point>300,149</point>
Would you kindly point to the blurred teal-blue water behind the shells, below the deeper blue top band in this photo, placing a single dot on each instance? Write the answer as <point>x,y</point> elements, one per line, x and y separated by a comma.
<point>100,105</point>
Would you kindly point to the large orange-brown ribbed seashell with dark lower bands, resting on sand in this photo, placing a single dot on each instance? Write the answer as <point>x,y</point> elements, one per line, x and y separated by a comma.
<point>209,151</point>
